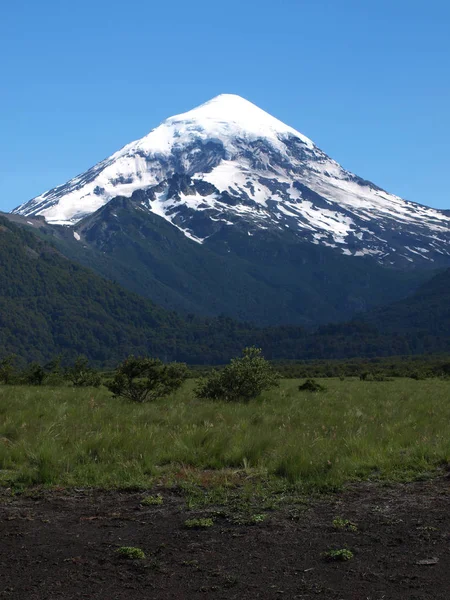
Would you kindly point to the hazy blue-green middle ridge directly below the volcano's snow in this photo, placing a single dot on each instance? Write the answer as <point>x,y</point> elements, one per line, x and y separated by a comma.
<point>266,279</point>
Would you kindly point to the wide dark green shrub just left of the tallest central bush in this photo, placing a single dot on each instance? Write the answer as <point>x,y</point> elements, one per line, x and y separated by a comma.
<point>145,379</point>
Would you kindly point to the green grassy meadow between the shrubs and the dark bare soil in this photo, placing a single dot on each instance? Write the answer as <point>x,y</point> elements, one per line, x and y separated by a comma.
<point>393,430</point>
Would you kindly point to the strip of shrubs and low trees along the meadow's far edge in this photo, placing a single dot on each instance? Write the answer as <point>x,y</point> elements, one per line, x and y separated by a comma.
<point>144,379</point>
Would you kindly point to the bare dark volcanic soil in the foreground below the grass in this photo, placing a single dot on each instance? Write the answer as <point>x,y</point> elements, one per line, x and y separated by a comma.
<point>63,545</point>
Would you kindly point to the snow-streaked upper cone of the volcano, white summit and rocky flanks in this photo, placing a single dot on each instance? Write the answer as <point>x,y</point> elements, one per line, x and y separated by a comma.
<point>229,163</point>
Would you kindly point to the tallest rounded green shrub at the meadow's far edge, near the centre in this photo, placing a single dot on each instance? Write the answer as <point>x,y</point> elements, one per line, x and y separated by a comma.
<point>243,379</point>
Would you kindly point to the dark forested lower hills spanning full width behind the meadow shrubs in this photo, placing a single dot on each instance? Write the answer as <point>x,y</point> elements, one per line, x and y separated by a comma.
<point>50,305</point>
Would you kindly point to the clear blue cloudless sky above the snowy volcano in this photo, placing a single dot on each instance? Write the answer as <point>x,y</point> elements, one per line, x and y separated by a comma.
<point>367,80</point>
